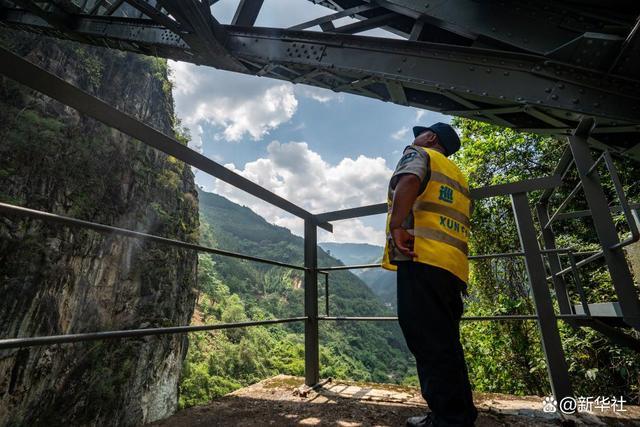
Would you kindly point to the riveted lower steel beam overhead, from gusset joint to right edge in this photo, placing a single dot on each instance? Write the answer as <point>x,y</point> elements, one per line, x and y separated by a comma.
<point>492,75</point>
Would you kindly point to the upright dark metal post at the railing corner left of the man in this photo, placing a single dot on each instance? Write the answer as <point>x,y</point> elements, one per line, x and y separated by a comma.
<point>311,347</point>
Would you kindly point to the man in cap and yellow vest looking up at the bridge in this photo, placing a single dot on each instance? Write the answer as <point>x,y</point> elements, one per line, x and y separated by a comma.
<point>427,232</point>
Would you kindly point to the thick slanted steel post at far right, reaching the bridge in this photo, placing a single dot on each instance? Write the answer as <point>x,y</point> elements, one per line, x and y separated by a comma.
<point>604,225</point>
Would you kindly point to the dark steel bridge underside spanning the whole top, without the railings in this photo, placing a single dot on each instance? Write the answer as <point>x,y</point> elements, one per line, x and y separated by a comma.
<point>539,67</point>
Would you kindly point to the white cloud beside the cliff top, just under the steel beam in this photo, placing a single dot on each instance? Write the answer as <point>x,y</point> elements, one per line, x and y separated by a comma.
<point>238,104</point>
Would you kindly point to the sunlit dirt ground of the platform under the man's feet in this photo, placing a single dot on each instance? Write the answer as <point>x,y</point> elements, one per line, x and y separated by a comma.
<point>281,401</point>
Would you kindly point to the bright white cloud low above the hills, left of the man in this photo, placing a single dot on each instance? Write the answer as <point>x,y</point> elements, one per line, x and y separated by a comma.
<point>296,173</point>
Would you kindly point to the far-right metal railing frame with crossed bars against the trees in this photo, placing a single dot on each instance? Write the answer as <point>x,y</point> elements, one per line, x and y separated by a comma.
<point>578,157</point>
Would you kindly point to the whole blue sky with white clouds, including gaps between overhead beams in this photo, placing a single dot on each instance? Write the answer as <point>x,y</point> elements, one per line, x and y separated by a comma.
<point>322,150</point>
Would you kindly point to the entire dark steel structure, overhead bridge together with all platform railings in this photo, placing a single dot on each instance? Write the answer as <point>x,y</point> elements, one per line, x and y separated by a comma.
<point>566,68</point>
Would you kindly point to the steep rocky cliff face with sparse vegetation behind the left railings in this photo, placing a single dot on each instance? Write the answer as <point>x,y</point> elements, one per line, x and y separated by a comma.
<point>59,280</point>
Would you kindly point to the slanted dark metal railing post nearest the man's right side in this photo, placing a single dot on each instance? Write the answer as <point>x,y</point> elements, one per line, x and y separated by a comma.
<point>547,322</point>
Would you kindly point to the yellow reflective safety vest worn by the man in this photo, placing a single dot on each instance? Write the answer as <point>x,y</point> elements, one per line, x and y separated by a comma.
<point>441,219</point>
